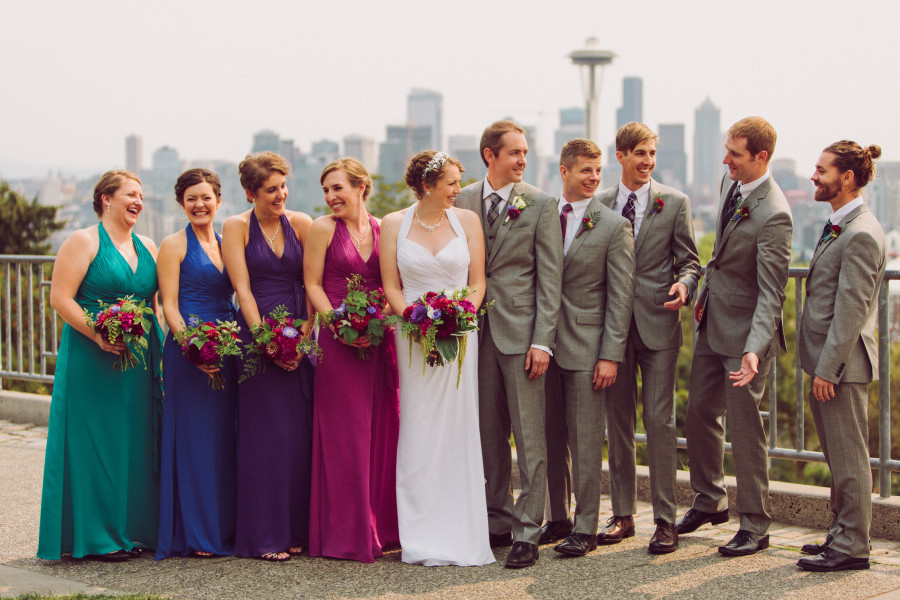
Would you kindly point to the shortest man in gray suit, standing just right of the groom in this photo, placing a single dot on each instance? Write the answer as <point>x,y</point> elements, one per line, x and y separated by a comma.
<point>597,294</point>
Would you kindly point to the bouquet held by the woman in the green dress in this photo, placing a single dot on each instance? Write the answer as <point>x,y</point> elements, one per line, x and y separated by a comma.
<point>125,321</point>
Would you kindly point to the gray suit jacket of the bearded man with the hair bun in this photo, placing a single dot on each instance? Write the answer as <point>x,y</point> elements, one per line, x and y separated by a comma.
<point>839,345</point>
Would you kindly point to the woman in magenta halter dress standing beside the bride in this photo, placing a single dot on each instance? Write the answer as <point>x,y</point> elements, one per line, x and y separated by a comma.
<point>353,512</point>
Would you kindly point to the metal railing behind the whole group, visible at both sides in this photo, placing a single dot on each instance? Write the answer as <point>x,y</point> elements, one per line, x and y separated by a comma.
<point>27,345</point>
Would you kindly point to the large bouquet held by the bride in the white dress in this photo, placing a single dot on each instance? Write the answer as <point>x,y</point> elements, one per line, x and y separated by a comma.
<point>440,322</point>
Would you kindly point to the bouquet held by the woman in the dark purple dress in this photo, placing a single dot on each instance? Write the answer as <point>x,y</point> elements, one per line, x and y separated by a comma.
<point>276,337</point>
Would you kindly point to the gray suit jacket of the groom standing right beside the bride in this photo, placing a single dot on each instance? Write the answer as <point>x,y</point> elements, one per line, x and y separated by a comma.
<point>523,269</point>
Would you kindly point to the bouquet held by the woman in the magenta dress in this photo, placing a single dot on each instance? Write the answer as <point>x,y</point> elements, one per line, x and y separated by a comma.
<point>360,313</point>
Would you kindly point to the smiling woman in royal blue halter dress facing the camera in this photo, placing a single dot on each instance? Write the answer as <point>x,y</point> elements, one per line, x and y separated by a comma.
<point>197,483</point>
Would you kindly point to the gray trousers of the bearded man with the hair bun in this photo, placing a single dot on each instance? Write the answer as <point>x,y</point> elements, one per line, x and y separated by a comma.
<point>843,431</point>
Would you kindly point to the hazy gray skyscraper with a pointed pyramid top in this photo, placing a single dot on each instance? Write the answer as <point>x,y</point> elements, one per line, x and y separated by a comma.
<point>708,153</point>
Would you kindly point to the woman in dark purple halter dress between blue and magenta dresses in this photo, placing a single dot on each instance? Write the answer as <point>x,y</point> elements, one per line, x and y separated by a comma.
<point>263,251</point>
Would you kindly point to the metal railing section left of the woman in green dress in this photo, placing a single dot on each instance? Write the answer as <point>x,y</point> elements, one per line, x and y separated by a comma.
<point>29,328</point>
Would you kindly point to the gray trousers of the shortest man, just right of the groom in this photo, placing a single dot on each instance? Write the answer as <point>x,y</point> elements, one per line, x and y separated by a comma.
<point>583,418</point>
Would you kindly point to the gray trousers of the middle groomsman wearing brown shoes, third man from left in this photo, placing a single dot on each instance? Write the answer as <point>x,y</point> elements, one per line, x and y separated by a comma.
<point>658,398</point>
